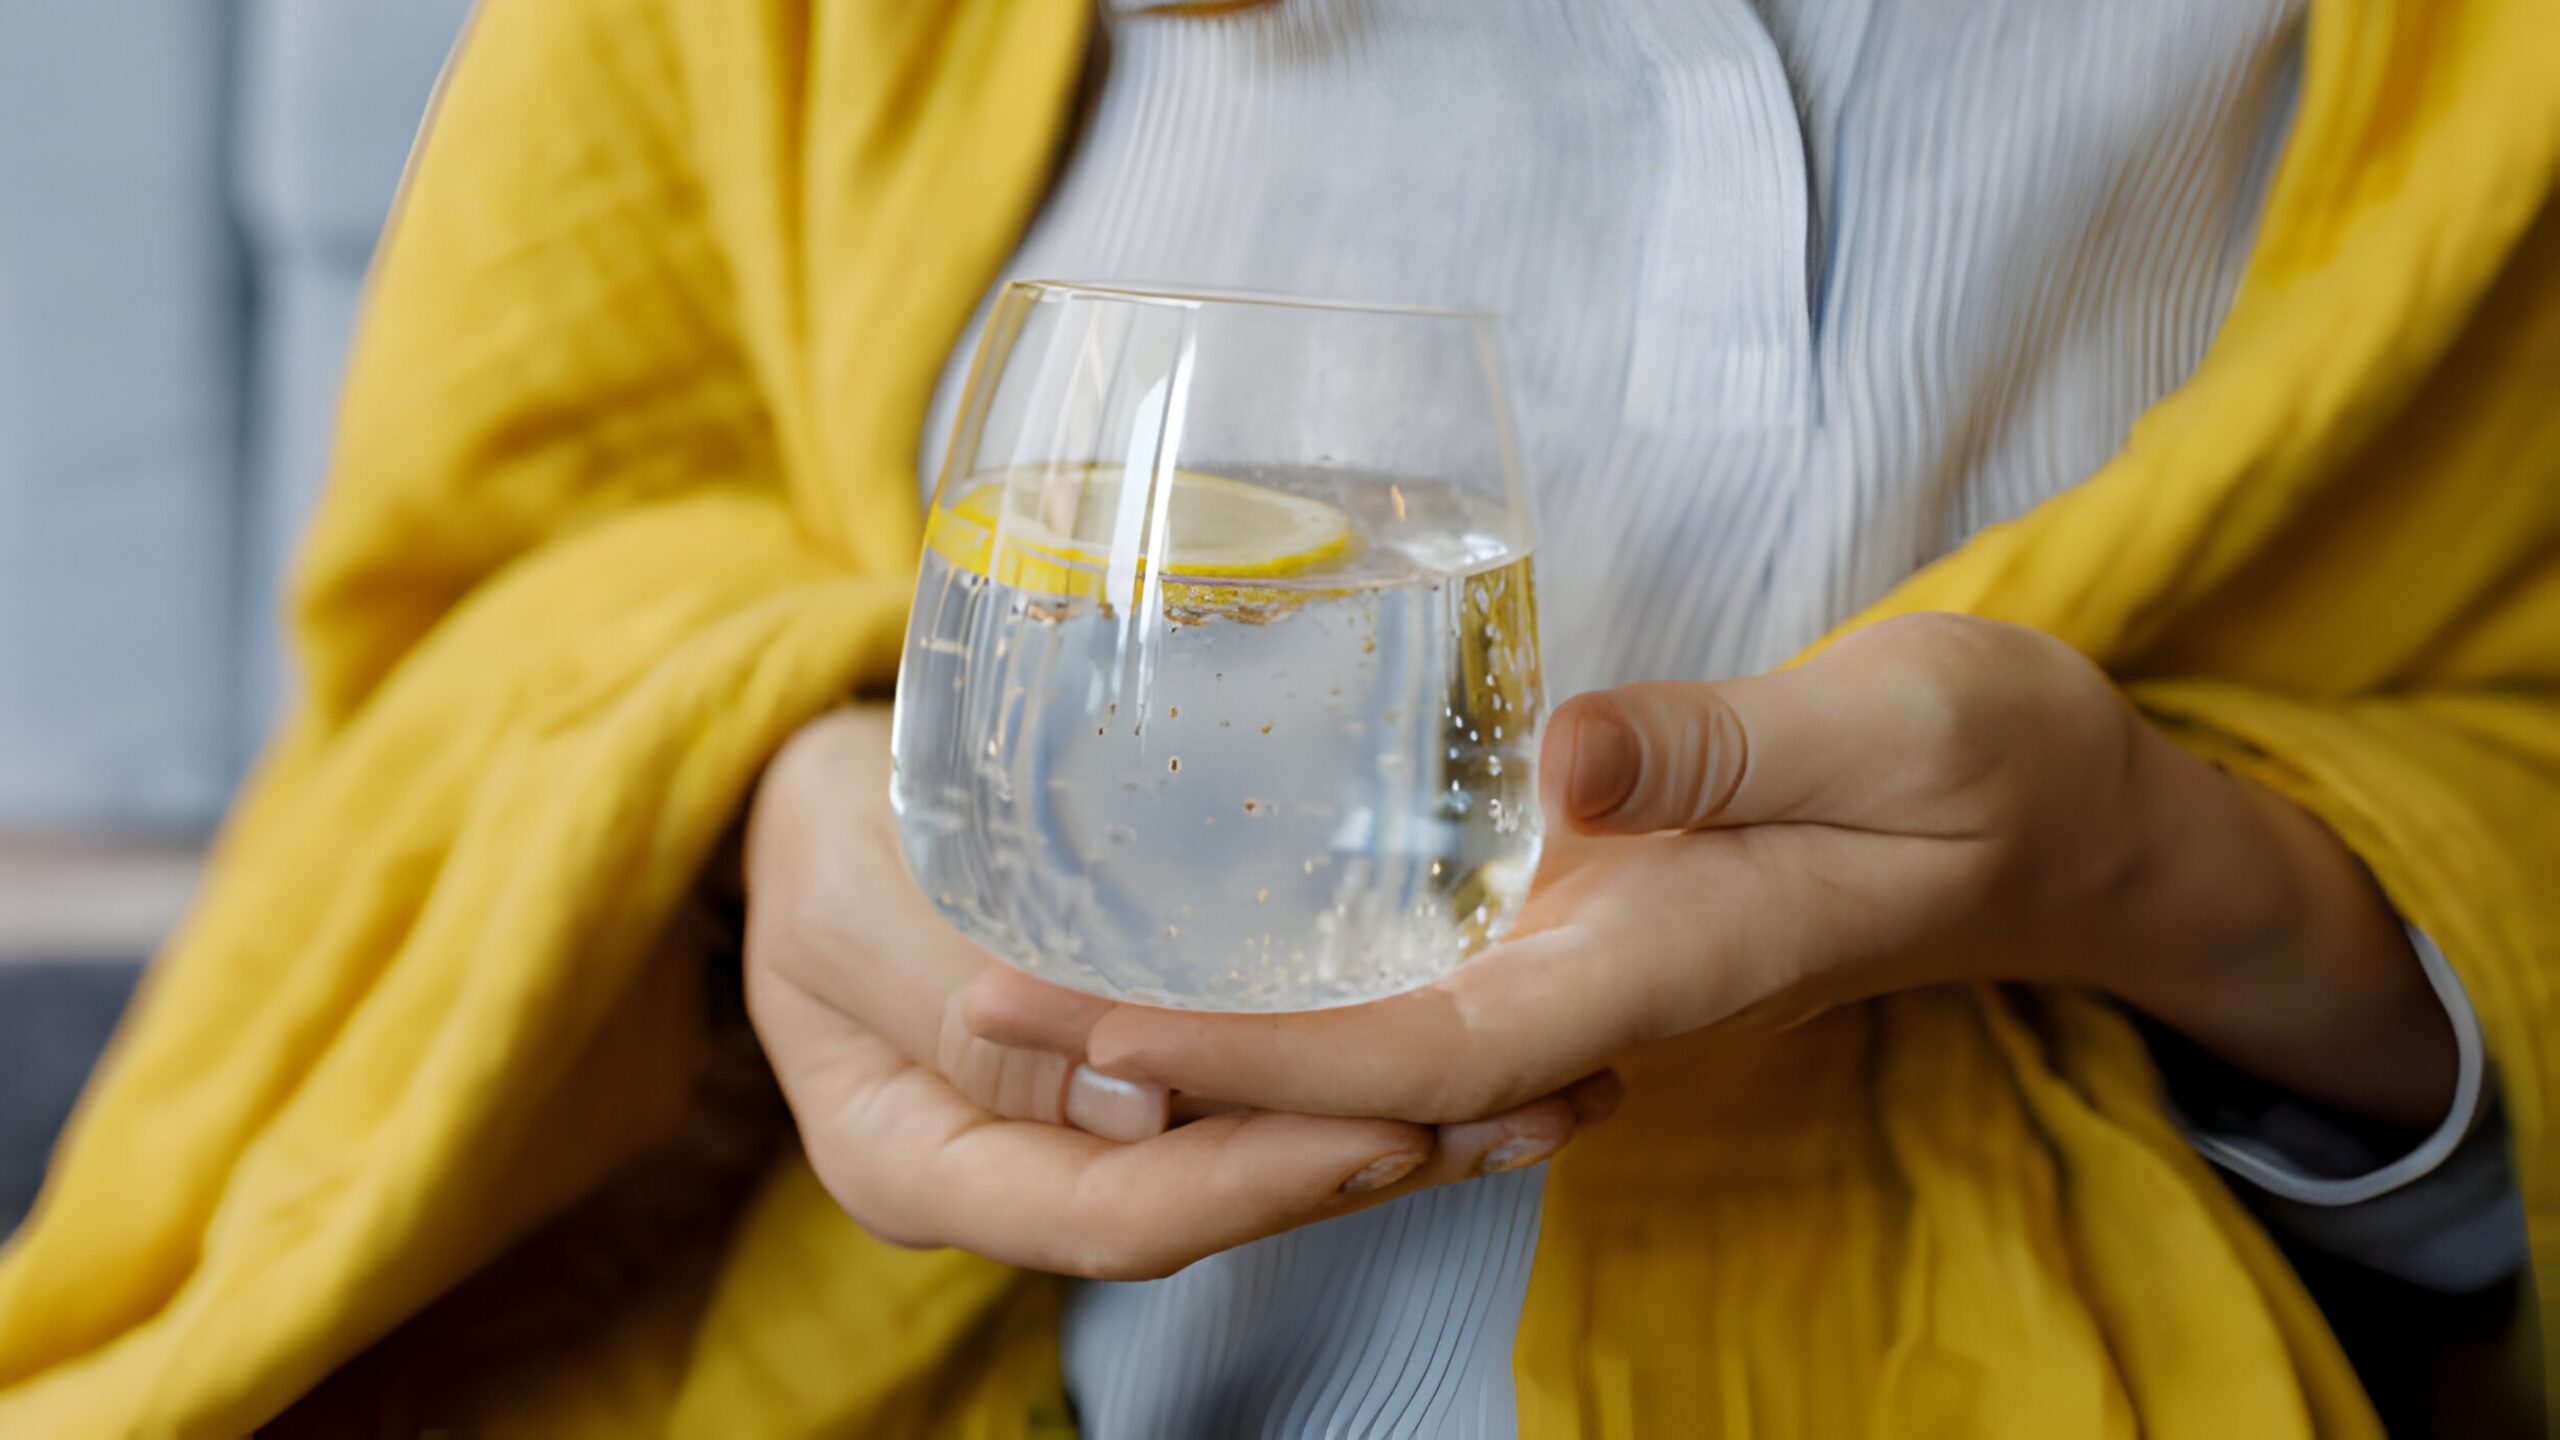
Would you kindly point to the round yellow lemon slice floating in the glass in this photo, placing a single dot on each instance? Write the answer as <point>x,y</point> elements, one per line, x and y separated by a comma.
<point>1053,532</point>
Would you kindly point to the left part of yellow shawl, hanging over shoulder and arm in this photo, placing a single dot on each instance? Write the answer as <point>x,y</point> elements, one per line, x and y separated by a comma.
<point>603,532</point>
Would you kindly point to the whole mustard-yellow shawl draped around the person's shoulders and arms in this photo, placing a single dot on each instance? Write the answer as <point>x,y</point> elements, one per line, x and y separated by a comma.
<point>626,493</point>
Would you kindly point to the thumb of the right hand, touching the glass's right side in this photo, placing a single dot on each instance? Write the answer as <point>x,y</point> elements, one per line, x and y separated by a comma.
<point>1696,755</point>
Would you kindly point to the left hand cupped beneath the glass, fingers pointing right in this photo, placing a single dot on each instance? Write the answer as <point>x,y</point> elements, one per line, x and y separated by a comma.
<point>933,1136</point>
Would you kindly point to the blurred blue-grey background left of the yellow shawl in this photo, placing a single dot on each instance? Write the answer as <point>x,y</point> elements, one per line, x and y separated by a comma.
<point>188,201</point>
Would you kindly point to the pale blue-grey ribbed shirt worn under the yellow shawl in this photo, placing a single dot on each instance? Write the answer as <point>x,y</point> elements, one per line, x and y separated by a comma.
<point>1798,296</point>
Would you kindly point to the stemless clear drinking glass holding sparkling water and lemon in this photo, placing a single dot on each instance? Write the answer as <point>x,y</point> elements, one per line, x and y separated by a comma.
<point>1222,683</point>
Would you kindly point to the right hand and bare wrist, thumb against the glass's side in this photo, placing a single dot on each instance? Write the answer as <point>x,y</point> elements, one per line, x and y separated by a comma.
<point>1932,801</point>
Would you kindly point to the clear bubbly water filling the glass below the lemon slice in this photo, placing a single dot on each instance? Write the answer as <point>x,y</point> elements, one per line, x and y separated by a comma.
<point>1256,796</point>
